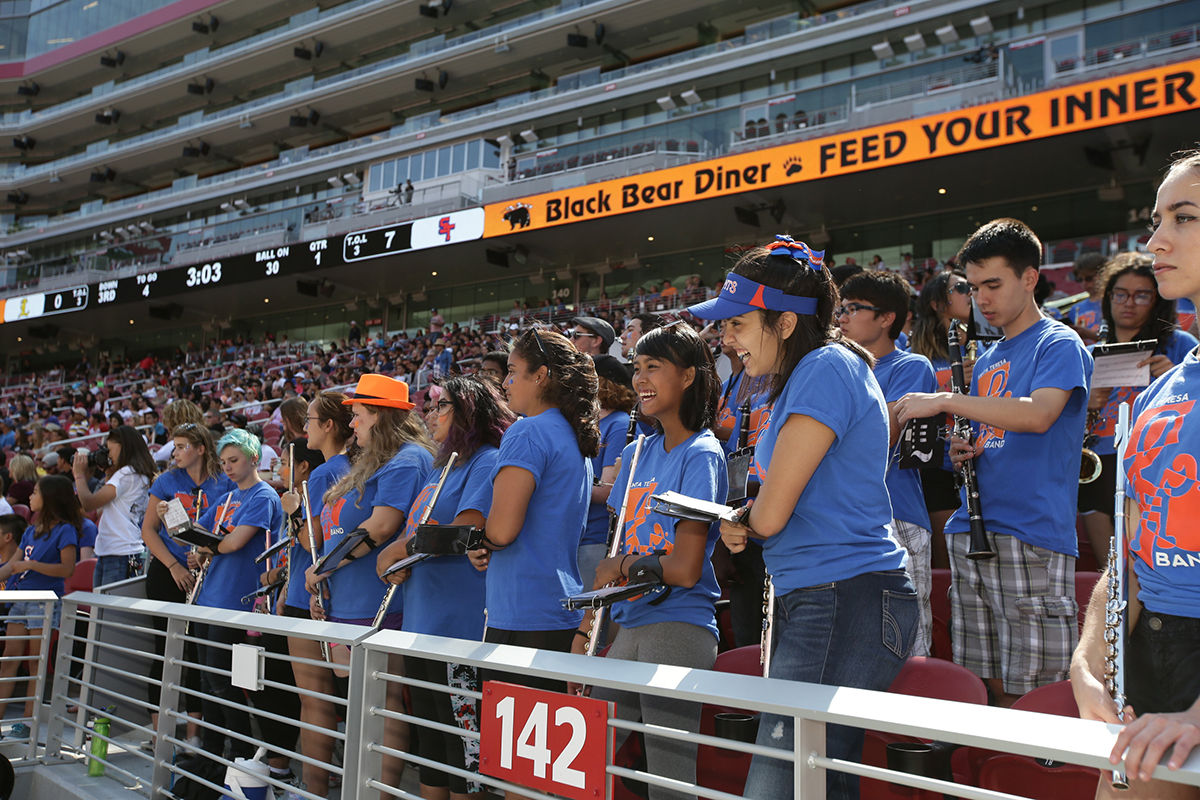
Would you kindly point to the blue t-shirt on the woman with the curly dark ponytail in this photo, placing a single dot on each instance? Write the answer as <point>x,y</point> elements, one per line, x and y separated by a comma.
<point>529,579</point>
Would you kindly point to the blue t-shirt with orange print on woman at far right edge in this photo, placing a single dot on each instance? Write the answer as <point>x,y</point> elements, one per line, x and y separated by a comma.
<point>1161,466</point>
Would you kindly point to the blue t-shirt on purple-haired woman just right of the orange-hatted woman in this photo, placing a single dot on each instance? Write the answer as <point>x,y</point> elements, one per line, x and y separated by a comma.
<point>446,594</point>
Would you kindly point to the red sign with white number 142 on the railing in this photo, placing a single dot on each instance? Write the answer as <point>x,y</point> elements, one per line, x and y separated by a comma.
<point>544,741</point>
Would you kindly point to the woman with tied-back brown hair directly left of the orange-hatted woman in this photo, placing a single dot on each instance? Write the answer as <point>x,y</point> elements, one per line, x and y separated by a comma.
<point>328,428</point>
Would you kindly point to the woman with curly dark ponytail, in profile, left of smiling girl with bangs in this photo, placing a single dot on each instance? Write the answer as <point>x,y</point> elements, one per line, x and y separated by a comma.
<point>541,494</point>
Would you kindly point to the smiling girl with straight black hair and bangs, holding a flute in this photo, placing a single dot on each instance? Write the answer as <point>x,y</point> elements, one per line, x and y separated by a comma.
<point>676,382</point>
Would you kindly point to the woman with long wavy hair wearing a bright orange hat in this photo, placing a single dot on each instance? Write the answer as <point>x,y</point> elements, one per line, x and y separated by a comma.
<point>374,497</point>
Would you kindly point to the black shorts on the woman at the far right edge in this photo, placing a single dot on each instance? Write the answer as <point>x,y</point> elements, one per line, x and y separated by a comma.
<point>1163,664</point>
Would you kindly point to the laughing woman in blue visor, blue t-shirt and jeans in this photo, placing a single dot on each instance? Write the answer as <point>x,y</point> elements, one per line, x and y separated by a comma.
<point>824,510</point>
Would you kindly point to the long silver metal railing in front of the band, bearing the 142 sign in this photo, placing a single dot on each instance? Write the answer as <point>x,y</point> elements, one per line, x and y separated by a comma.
<point>118,629</point>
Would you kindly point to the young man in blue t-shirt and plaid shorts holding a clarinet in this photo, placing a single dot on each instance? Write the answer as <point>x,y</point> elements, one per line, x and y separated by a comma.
<point>1015,616</point>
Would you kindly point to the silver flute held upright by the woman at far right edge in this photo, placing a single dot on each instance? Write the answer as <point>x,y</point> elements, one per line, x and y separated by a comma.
<point>1118,593</point>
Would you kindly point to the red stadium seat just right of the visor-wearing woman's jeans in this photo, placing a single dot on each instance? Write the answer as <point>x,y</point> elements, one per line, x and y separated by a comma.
<point>920,677</point>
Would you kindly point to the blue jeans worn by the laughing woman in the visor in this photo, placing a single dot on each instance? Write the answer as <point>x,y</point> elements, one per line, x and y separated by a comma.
<point>827,635</point>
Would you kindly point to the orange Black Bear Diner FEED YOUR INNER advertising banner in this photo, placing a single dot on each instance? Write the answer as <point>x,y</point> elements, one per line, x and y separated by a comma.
<point>1081,107</point>
